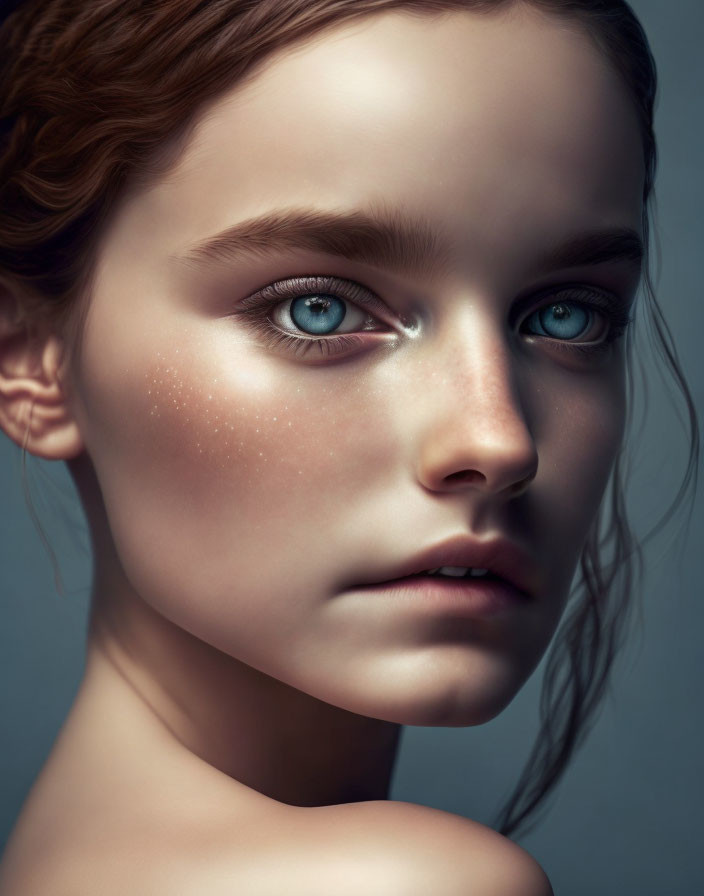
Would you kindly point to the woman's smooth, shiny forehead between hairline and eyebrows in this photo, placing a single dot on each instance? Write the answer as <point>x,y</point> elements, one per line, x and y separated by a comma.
<point>473,122</point>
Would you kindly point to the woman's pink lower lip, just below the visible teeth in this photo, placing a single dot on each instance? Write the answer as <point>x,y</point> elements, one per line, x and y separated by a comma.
<point>471,597</point>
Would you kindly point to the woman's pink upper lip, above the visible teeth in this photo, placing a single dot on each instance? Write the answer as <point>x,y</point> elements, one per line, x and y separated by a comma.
<point>501,557</point>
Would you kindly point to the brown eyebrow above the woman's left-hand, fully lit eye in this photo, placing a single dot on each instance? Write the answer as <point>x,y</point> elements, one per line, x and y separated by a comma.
<point>390,240</point>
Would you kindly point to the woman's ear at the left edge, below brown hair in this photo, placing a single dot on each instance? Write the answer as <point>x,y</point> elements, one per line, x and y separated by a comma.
<point>34,410</point>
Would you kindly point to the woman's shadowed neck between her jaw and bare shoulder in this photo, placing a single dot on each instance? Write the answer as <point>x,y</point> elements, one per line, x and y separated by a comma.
<point>263,733</point>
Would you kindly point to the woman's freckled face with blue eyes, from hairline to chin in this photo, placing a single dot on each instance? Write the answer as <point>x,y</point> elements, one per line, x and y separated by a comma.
<point>299,409</point>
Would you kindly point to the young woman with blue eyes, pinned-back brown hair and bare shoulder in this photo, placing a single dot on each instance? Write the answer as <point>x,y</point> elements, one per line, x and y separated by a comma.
<point>326,305</point>
